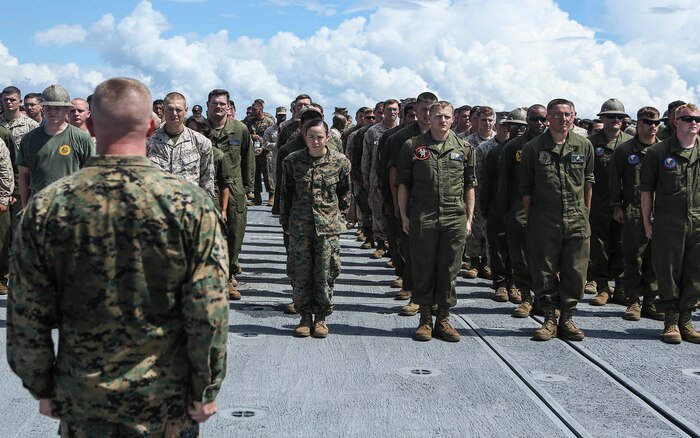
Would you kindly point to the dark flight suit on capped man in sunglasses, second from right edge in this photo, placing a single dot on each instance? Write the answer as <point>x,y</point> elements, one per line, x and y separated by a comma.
<point>639,278</point>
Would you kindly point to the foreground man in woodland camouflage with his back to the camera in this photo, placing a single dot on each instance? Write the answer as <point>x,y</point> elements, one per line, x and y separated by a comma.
<point>138,299</point>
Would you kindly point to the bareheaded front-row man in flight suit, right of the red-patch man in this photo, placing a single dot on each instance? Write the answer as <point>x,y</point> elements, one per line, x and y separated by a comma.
<point>556,183</point>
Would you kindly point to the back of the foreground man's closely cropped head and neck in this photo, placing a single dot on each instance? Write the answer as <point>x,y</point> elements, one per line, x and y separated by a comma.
<point>120,112</point>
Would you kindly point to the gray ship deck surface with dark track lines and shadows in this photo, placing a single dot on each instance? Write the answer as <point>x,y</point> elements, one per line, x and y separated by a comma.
<point>367,378</point>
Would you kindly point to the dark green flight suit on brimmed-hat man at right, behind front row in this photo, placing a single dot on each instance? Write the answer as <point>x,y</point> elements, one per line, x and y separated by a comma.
<point>606,233</point>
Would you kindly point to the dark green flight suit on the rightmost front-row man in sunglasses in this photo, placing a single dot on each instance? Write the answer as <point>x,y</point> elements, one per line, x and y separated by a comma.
<point>673,175</point>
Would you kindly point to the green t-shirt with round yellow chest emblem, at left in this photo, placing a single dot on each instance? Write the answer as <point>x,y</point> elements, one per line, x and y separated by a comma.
<point>50,158</point>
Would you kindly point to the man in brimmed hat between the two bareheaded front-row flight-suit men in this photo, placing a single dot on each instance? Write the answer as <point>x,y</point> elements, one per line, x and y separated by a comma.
<point>501,271</point>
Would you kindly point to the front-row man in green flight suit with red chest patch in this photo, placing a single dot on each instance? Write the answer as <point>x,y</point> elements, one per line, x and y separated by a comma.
<point>436,181</point>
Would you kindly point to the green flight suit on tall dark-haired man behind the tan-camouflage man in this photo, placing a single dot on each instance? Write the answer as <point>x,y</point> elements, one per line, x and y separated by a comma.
<point>234,141</point>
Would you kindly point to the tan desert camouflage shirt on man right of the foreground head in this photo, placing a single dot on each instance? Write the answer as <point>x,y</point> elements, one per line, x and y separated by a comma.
<point>190,157</point>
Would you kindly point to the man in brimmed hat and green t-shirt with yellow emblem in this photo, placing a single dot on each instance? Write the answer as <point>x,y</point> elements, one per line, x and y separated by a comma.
<point>55,150</point>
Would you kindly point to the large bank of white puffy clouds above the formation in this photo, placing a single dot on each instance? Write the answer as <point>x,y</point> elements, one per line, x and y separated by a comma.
<point>503,54</point>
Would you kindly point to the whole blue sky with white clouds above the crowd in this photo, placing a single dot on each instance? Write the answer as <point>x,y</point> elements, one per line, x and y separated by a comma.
<point>353,53</point>
